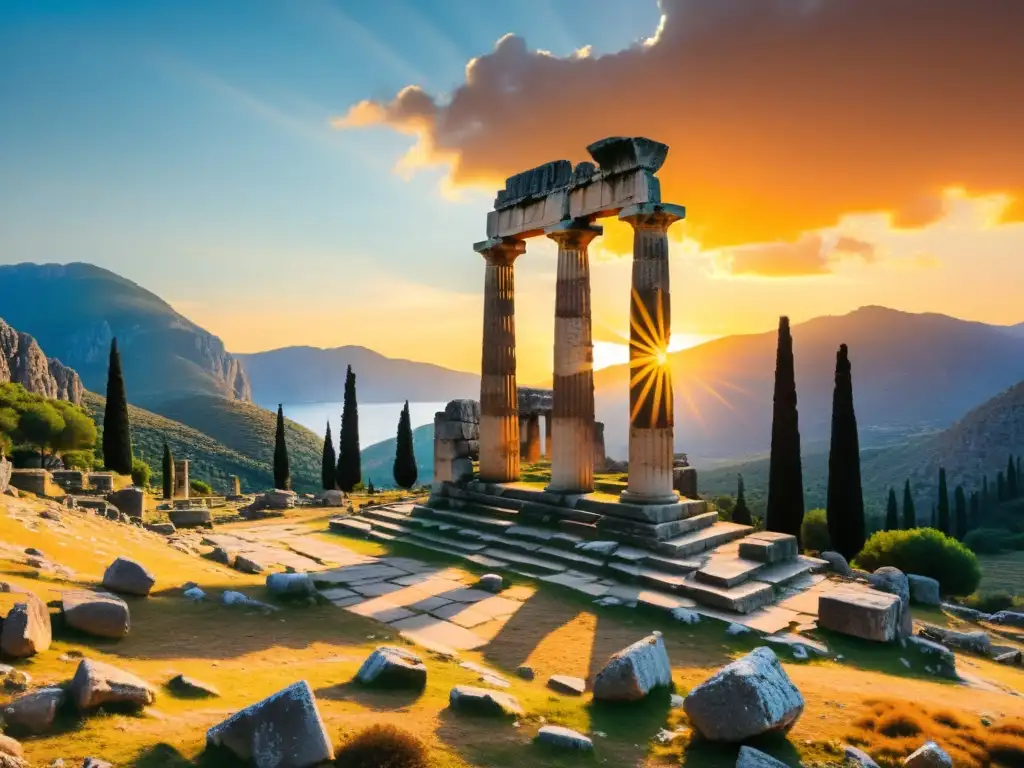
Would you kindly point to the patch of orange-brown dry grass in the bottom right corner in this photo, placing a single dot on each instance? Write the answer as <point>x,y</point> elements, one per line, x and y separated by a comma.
<point>892,730</point>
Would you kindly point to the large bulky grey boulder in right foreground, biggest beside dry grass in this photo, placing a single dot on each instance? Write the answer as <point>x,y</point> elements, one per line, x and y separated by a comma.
<point>749,698</point>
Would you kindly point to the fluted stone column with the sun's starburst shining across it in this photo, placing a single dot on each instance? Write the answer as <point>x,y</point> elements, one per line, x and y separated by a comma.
<point>652,418</point>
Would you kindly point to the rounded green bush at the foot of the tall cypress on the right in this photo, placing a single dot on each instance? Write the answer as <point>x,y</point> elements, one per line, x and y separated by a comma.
<point>925,552</point>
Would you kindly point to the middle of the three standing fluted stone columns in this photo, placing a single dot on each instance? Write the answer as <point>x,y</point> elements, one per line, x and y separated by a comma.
<point>573,453</point>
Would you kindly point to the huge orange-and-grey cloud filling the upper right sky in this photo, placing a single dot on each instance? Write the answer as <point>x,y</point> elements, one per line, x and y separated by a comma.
<point>782,115</point>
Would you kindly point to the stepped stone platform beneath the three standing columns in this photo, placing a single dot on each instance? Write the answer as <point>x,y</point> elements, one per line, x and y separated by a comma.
<point>669,557</point>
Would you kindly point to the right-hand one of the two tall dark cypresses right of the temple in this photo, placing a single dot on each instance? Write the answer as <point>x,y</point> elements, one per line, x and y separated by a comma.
<point>845,505</point>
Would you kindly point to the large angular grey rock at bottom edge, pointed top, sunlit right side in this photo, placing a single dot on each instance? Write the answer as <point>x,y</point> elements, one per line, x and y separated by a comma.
<point>285,731</point>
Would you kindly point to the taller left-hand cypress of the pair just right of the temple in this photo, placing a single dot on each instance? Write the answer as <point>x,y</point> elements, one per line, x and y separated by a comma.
<point>786,479</point>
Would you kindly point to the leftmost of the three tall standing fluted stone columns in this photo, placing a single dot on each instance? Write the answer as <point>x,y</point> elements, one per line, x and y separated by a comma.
<point>499,397</point>
